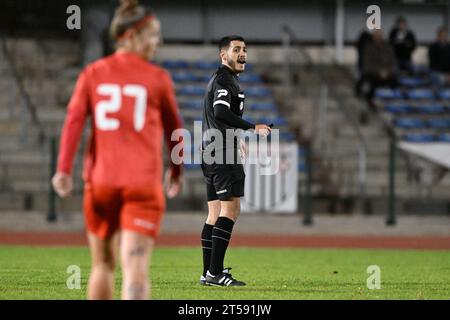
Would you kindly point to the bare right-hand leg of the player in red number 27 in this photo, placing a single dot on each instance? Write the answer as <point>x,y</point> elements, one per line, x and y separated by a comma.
<point>135,253</point>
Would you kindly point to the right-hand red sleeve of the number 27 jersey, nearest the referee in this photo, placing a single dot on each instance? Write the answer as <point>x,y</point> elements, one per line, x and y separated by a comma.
<point>171,119</point>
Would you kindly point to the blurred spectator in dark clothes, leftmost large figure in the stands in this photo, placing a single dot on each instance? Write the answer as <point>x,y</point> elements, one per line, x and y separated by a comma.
<point>379,64</point>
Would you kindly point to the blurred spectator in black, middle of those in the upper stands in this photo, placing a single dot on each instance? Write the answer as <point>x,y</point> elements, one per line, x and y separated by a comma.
<point>403,41</point>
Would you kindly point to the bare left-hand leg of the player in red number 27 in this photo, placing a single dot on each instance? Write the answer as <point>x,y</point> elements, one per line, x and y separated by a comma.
<point>103,255</point>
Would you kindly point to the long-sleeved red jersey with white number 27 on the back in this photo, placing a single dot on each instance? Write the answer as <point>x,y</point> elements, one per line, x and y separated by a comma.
<point>132,104</point>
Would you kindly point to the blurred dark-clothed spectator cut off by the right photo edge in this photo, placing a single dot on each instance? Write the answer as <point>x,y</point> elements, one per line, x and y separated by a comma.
<point>439,56</point>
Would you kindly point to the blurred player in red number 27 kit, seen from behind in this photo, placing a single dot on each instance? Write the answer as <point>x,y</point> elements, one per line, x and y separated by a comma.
<point>131,103</point>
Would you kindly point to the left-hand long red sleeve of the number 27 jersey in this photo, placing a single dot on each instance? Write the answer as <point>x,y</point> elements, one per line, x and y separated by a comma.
<point>77,113</point>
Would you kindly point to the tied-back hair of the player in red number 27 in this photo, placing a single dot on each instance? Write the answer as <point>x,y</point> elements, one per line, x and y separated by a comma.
<point>128,17</point>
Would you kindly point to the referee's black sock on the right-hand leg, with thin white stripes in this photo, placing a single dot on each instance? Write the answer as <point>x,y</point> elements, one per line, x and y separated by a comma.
<point>220,238</point>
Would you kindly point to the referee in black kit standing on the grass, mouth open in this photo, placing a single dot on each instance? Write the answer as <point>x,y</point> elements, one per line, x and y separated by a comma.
<point>222,112</point>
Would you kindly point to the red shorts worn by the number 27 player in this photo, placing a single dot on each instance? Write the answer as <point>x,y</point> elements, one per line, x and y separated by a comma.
<point>108,209</point>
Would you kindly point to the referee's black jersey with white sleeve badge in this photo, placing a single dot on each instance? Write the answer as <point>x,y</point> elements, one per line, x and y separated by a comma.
<point>223,89</point>
